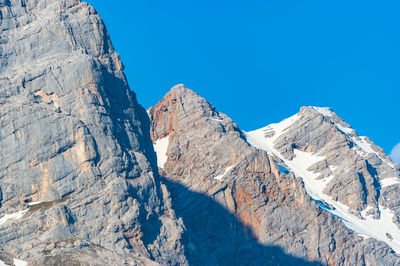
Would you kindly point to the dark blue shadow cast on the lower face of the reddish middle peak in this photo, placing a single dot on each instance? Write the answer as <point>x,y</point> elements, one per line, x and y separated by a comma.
<point>216,237</point>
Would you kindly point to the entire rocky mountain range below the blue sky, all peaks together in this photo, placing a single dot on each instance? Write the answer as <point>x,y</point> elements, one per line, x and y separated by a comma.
<point>88,177</point>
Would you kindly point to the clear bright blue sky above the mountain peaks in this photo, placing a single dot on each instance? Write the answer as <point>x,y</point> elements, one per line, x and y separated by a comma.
<point>260,61</point>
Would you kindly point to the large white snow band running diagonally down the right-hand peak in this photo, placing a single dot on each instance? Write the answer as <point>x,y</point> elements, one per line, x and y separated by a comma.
<point>383,229</point>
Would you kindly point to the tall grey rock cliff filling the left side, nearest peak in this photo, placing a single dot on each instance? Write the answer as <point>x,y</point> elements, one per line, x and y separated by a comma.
<point>75,142</point>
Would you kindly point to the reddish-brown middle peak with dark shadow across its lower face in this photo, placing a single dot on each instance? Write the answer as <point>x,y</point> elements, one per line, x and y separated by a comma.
<point>226,190</point>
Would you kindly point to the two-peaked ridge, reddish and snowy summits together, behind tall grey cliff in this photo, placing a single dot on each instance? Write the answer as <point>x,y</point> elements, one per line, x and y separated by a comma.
<point>308,187</point>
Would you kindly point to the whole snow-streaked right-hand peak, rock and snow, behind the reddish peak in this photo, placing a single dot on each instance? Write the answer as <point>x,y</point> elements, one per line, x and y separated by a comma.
<point>316,158</point>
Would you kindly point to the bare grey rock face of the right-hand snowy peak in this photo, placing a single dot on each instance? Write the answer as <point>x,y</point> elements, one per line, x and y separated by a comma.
<point>362,171</point>
